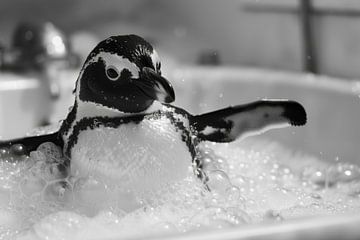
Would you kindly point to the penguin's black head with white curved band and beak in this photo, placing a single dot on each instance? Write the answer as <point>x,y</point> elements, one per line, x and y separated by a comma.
<point>123,73</point>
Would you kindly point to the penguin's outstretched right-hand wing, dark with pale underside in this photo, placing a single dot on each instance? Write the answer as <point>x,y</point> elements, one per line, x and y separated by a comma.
<point>228,124</point>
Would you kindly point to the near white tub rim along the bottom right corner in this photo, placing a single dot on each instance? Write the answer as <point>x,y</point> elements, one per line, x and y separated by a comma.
<point>297,228</point>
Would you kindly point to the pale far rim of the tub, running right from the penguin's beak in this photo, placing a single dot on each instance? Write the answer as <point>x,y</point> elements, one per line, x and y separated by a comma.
<point>301,79</point>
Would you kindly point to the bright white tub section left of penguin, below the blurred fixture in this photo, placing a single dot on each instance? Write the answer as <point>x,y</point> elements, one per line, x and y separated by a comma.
<point>25,102</point>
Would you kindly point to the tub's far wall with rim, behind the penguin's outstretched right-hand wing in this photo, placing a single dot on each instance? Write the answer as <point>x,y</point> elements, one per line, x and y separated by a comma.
<point>332,105</point>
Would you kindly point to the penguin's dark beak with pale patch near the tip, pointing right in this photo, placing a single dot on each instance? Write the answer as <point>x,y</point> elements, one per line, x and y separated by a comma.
<point>155,86</point>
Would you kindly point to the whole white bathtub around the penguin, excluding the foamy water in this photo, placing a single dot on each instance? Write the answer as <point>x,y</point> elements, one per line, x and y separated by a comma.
<point>333,108</point>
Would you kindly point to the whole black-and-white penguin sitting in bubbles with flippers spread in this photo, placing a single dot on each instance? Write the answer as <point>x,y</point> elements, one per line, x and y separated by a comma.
<point>122,126</point>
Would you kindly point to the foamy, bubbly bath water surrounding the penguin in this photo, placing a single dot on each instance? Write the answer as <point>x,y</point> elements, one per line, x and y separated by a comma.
<point>251,181</point>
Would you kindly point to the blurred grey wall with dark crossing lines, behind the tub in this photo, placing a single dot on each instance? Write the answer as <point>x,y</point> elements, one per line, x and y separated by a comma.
<point>260,33</point>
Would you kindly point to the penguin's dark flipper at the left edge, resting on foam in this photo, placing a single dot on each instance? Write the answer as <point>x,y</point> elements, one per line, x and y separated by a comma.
<point>31,143</point>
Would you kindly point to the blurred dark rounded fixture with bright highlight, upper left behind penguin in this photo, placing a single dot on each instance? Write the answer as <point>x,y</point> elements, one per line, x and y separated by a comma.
<point>36,45</point>
